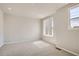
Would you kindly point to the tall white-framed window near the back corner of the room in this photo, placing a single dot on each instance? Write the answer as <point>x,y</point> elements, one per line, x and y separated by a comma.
<point>48,27</point>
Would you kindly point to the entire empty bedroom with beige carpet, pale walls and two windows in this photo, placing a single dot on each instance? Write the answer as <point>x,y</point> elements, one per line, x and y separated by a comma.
<point>39,29</point>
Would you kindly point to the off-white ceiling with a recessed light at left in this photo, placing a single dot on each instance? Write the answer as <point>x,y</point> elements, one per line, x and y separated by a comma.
<point>31,10</point>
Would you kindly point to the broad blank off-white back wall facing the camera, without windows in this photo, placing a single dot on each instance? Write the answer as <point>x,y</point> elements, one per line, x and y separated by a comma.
<point>18,29</point>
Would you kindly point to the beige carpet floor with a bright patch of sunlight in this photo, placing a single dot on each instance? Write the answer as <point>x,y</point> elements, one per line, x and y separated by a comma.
<point>36,48</point>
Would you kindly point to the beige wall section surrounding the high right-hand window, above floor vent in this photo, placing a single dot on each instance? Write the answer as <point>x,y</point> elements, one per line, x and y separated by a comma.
<point>66,38</point>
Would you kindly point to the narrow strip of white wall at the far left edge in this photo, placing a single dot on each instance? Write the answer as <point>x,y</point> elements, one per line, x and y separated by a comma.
<point>1,29</point>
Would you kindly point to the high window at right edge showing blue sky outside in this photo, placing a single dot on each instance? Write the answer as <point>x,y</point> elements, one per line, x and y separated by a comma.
<point>74,16</point>
